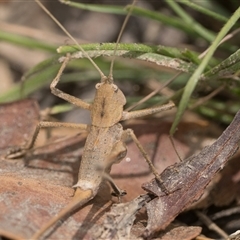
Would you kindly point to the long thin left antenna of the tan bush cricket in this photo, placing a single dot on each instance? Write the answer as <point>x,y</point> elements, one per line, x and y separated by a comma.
<point>103,77</point>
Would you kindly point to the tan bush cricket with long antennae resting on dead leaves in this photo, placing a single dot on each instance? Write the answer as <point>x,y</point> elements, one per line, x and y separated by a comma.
<point>105,143</point>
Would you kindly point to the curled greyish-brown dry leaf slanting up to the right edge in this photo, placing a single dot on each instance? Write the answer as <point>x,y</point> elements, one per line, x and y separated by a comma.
<point>187,180</point>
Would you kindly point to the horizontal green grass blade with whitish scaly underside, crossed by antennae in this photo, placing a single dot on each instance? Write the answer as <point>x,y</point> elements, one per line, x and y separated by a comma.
<point>136,51</point>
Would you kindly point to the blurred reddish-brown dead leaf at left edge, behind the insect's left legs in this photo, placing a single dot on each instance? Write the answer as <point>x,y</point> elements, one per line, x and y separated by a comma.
<point>17,125</point>
